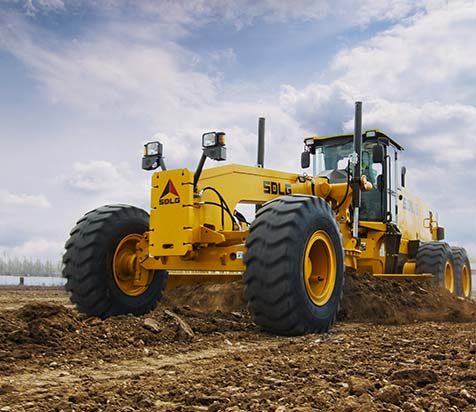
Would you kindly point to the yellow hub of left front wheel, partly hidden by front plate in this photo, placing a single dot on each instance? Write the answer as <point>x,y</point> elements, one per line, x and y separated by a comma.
<point>130,277</point>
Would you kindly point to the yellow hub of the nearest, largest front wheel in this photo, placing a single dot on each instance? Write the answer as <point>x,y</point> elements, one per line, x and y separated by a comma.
<point>320,268</point>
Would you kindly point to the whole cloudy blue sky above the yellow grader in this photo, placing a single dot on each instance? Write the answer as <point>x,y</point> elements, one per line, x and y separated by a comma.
<point>84,84</point>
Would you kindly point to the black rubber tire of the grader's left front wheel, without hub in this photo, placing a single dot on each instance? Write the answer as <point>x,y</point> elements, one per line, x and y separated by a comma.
<point>88,263</point>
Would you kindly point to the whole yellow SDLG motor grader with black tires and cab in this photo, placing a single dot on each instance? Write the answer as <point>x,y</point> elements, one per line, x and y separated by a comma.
<point>352,213</point>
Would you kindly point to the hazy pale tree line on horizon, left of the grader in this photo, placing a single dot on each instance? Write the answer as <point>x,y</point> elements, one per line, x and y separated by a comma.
<point>28,266</point>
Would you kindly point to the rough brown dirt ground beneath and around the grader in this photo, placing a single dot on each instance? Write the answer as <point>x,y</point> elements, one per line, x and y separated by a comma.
<point>397,347</point>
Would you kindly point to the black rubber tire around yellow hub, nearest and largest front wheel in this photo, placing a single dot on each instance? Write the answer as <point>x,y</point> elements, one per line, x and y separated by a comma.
<point>275,288</point>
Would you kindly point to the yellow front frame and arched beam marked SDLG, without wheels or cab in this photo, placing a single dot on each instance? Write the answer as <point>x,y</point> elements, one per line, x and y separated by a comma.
<point>187,232</point>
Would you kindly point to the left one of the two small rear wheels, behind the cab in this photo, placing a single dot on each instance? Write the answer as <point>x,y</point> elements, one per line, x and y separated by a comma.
<point>433,257</point>
